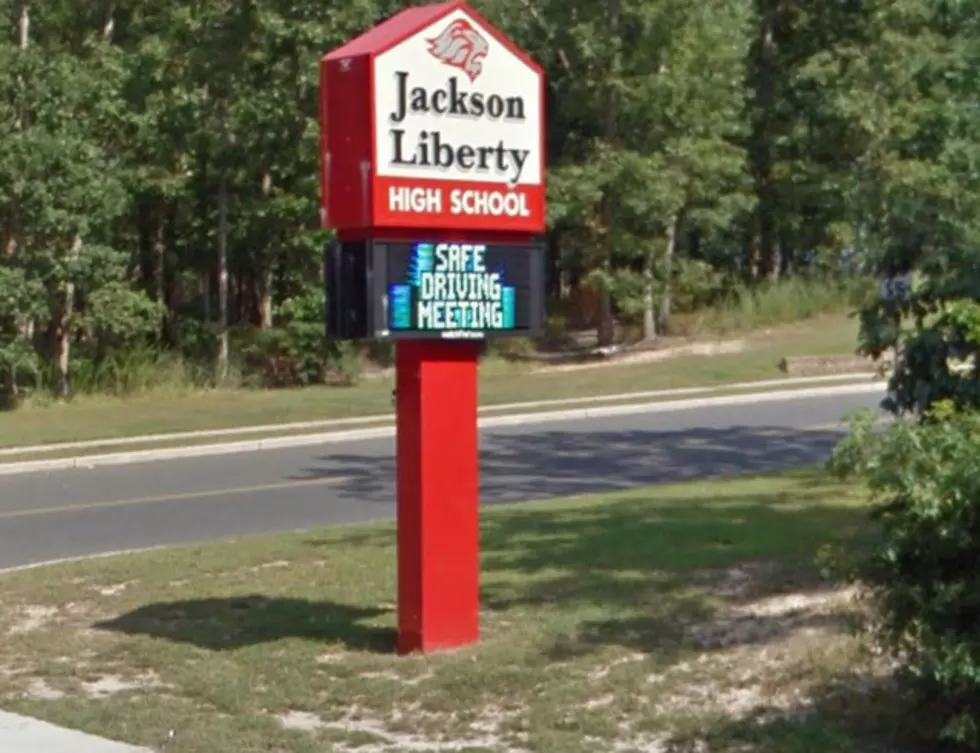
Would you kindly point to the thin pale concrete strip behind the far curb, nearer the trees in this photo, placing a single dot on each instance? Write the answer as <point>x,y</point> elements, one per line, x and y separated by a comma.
<point>360,420</point>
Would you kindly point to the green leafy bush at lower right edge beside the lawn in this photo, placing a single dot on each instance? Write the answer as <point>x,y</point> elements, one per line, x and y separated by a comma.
<point>922,572</point>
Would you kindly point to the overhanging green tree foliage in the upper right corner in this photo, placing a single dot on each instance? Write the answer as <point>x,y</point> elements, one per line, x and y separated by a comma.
<point>922,179</point>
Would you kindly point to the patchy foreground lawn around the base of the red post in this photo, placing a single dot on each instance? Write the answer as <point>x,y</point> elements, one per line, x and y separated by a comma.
<point>676,618</point>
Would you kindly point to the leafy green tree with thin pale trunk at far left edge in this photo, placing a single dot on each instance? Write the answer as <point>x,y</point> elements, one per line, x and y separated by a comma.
<point>62,188</point>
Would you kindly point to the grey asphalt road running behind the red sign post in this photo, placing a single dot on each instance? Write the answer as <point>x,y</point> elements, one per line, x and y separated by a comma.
<point>46,516</point>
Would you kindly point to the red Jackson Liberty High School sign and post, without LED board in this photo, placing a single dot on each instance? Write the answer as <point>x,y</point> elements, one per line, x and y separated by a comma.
<point>437,386</point>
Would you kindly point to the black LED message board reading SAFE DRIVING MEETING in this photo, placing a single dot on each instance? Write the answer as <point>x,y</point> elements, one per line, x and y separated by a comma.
<point>428,289</point>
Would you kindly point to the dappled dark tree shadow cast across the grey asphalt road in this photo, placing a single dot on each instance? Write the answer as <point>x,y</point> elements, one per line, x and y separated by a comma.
<point>561,463</point>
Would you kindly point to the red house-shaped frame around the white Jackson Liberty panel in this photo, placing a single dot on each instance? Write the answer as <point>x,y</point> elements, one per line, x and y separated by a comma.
<point>355,192</point>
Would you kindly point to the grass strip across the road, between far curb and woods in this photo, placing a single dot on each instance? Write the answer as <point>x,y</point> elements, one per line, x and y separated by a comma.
<point>97,418</point>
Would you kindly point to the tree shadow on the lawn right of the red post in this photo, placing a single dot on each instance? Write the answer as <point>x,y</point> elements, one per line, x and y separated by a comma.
<point>670,559</point>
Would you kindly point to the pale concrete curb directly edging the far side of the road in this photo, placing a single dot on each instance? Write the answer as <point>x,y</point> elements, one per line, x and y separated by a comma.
<point>382,432</point>
